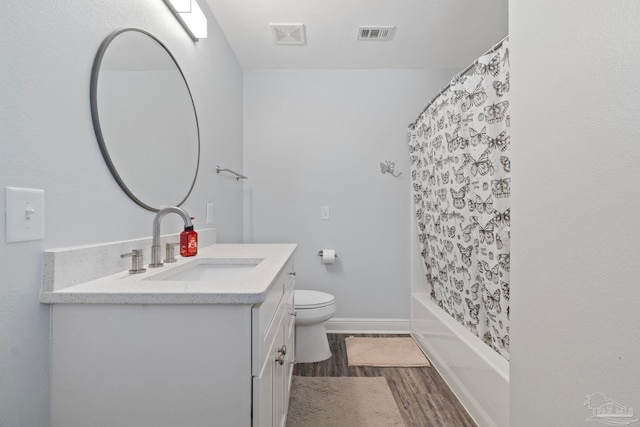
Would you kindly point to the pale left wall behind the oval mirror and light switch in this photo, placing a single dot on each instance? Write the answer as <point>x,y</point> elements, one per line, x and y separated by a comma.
<point>47,141</point>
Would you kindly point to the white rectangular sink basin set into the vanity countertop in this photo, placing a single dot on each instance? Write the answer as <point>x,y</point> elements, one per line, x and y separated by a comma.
<point>210,269</point>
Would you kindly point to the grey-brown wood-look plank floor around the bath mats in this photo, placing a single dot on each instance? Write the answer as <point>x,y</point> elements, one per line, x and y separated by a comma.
<point>423,398</point>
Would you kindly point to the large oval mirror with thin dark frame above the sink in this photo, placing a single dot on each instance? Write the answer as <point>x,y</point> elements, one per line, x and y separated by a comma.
<point>145,119</point>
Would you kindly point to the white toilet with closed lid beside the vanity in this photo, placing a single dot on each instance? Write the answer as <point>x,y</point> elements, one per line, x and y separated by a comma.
<point>313,308</point>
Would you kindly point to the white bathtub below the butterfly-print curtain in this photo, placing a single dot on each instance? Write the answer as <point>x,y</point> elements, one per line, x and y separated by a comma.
<point>478,376</point>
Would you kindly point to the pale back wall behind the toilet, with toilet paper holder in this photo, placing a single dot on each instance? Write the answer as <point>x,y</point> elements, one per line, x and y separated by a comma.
<point>317,137</point>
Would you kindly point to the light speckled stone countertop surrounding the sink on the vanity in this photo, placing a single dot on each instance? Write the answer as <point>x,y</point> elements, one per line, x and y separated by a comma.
<point>249,287</point>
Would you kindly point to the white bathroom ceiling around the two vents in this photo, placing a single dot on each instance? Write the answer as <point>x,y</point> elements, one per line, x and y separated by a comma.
<point>428,34</point>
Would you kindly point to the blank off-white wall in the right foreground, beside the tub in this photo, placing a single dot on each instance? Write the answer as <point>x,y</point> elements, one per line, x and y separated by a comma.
<point>576,151</point>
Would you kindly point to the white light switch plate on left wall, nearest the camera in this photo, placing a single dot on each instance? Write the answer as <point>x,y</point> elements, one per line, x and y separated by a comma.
<point>24,214</point>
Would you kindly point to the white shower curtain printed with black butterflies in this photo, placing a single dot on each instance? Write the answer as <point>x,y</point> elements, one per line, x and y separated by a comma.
<point>460,170</point>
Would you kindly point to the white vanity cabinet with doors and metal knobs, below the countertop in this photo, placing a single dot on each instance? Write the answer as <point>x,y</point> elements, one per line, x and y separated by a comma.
<point>174,364</point>
